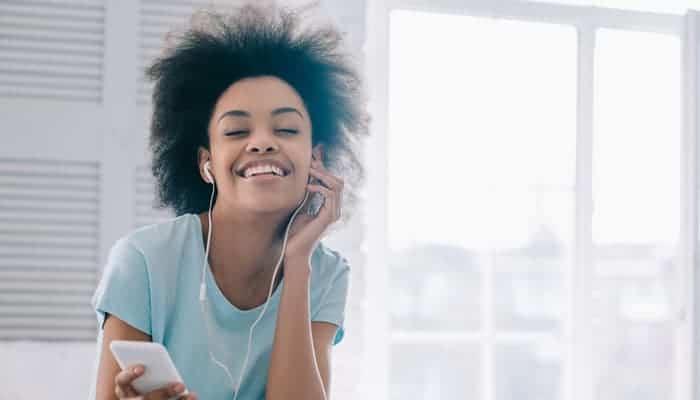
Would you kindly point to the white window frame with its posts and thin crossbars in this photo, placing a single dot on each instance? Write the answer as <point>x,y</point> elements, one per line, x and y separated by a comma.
<point>577,371</point>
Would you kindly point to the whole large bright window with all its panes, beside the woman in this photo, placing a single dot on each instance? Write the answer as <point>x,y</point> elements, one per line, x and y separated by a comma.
<point>521,152</point>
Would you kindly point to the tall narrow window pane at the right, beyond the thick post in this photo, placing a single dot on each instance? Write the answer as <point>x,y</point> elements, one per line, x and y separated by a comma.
<point>636,183</point>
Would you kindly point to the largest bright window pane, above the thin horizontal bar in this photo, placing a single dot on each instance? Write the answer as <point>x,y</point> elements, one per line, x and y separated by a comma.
<point>482,131</point>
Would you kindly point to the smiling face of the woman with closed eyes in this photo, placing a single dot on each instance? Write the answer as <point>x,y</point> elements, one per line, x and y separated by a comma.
<point>258,119</point>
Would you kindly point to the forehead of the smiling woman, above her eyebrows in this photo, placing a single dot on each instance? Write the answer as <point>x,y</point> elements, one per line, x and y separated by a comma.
<point>259,94</point>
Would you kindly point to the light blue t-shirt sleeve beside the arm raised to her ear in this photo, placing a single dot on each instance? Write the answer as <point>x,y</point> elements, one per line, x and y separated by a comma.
<point>332,308</point>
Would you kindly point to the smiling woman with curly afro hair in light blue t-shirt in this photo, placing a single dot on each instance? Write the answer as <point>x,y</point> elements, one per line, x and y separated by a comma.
<point>266,110</point>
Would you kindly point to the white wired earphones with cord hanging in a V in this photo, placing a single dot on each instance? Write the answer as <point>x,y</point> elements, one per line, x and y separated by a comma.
<point>203,285</point>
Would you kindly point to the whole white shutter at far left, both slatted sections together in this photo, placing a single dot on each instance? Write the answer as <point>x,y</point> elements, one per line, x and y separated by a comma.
<point>51,124</point>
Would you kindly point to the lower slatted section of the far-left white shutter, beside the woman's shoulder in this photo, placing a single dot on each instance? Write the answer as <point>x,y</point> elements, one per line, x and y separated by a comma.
<point>48,248</point>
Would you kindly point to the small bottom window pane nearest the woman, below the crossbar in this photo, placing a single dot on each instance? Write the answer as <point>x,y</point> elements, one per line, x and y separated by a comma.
<point>435,371</point>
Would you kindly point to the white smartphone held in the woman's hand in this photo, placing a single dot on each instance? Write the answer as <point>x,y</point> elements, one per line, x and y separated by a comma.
<point>160,369</point>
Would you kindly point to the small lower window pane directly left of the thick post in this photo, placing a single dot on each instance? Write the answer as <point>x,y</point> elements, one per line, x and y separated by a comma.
<point>528,371</point>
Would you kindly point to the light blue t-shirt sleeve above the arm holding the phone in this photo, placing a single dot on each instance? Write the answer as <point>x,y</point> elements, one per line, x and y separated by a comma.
<point>124,290</point>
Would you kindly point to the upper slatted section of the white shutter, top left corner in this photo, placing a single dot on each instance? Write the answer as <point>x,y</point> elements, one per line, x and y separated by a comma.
<point>52,49</point>
